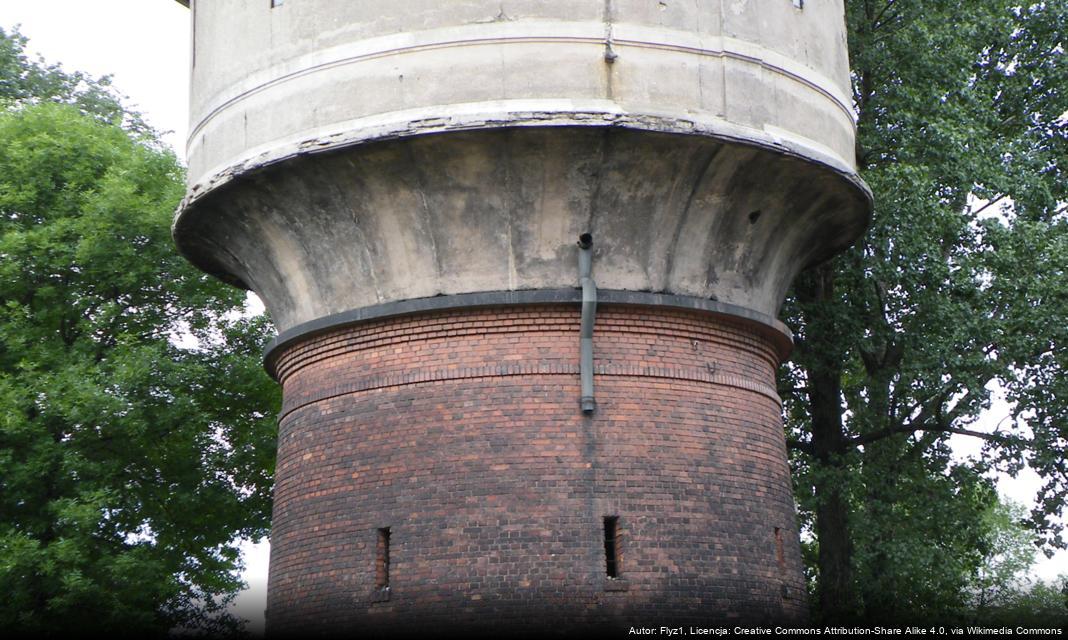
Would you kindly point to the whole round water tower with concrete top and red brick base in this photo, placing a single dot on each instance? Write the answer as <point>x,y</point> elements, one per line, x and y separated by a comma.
<point>525,258</point>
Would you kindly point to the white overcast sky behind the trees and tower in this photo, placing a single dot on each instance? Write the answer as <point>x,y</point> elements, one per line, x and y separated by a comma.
<point>145,46</point>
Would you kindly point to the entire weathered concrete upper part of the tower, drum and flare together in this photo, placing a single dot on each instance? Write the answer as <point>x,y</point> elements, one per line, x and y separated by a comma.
<point>347,154</point>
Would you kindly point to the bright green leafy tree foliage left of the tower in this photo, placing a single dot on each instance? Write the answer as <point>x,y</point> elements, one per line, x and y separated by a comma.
<point>128,466</point>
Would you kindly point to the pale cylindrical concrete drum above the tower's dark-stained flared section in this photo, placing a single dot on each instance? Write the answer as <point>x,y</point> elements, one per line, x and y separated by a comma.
<point>322,73</point>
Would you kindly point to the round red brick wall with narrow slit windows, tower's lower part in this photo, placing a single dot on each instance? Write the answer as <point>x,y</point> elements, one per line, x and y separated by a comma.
<point>461,432</point>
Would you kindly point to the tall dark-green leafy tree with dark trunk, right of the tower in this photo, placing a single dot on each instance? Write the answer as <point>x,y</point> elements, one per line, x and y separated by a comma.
<point>959,286</point>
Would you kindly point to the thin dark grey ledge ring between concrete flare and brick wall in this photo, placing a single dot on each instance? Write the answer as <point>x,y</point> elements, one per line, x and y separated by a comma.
<point>765,325</point>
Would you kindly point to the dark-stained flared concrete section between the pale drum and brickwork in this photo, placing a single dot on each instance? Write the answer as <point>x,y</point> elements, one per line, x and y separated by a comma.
<point>501,211</point>
